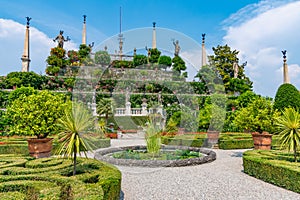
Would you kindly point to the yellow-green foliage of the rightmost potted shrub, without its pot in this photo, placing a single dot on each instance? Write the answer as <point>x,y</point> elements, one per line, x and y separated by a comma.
<point>258,116</point>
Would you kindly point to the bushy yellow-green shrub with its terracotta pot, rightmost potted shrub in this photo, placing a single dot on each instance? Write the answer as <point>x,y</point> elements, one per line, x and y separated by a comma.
<point>258,118</point>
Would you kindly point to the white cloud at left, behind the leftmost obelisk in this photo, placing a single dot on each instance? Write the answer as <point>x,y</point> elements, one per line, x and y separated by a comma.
<point>12,43</point>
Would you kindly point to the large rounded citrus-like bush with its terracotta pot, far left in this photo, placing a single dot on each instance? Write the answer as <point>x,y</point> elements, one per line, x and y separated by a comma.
<point>36,115</point>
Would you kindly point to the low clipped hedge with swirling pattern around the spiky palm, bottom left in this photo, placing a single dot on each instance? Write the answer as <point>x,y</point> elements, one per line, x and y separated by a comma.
<point>23,177</point>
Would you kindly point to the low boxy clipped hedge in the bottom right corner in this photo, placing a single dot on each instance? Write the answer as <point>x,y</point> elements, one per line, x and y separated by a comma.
<point>276,167</point>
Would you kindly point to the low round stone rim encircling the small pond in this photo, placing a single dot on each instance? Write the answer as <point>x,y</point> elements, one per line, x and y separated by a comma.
<point>106,155</point>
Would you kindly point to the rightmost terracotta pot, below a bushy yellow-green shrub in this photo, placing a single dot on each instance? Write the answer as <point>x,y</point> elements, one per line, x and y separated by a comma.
<point>262,141</point>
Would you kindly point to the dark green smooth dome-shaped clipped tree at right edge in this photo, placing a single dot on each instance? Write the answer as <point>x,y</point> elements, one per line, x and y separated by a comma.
<point>287,95</point>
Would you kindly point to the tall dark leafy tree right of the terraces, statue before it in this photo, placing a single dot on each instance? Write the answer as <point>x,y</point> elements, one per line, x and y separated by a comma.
<point>223,59</point>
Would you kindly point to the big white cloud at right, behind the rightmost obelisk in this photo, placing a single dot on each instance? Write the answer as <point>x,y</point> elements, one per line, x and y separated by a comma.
<point>265,31</point>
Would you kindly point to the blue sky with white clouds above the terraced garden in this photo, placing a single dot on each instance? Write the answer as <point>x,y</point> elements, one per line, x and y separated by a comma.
<point>258,29</point>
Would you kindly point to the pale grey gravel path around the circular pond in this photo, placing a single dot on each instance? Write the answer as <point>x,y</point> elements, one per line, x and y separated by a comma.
<point>221,179</point>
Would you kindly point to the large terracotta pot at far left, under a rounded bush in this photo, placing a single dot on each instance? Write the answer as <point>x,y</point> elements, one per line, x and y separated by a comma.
<point>40,148</point>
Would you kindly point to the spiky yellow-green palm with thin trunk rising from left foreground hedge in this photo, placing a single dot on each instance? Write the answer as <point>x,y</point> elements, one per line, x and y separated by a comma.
<point>73,124</point>
